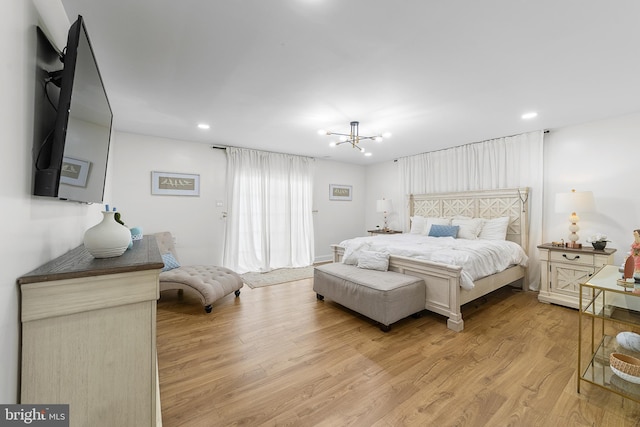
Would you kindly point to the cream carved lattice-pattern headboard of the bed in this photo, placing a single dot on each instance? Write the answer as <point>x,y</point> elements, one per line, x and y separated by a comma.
<point>512,202</point>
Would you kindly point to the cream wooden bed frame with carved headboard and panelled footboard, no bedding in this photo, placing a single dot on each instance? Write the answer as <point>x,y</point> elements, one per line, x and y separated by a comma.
<point>445,292</point>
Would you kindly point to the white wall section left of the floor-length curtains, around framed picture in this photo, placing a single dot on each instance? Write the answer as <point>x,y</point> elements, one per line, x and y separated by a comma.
<point>196,222</point>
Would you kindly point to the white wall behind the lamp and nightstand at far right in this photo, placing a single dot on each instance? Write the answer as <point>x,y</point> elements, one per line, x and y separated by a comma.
<point>603,157</point>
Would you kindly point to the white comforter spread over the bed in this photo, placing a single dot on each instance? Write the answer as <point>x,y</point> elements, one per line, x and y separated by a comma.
<point>478,258</point>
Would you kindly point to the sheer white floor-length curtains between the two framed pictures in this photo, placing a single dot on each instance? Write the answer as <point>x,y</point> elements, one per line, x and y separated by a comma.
<point>269,222</point>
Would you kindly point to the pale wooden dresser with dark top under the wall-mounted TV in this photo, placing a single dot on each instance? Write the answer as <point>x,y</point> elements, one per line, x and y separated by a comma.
<point>89,336</point>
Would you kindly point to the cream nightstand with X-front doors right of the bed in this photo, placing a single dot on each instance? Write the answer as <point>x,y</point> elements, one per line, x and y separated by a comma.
<point>564,269</point>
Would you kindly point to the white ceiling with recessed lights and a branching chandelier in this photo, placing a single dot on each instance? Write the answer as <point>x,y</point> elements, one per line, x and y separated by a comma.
<point>267,74</point>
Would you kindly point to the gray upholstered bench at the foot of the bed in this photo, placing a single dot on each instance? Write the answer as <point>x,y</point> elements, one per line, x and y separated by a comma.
<point>384,296</point>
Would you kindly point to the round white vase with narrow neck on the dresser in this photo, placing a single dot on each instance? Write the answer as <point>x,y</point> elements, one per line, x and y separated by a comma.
<point>107,239</point>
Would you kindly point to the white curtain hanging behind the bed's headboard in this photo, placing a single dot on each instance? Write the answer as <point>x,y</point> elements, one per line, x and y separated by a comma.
<point>510,162</point>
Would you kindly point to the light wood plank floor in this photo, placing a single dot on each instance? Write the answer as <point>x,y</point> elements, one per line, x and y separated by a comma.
<point>277,356</point>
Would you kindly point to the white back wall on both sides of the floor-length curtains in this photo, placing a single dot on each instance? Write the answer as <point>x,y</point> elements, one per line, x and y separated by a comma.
<point>197,223</point>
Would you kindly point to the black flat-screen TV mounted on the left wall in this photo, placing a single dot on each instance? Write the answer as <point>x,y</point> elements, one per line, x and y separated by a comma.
<point>71,142</point>
